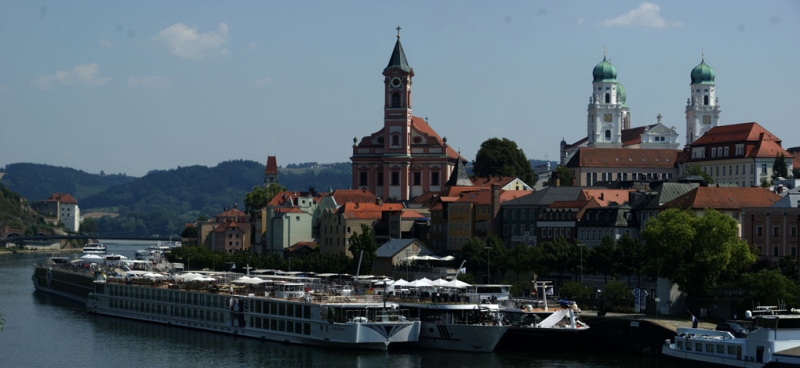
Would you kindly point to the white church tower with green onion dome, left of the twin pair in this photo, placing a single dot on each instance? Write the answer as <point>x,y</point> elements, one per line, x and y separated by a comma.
<point>607,113</point>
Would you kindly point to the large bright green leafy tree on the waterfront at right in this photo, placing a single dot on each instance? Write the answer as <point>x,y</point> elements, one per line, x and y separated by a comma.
<point>695,251</point>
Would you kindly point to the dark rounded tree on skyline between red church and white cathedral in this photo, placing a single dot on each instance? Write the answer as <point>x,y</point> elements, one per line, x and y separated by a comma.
<point>502,157</point>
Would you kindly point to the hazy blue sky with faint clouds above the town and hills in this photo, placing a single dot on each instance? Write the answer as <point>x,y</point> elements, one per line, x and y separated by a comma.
<point>133,86</point>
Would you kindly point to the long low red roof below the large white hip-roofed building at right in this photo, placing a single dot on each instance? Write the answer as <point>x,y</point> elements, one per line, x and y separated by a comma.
<point>721,198</point>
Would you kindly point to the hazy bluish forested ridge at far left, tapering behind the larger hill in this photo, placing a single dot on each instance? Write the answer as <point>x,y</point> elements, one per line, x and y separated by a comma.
<point>36,182</point>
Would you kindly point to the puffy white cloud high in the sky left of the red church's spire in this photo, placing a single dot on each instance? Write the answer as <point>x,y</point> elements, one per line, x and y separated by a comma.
<point>185,42</point>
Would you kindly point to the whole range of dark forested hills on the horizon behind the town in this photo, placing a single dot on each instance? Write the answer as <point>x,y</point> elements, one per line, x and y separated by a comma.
<point>163,200</point>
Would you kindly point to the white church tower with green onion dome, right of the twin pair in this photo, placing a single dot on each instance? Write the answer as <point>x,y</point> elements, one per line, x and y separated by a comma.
<point>702,108</point>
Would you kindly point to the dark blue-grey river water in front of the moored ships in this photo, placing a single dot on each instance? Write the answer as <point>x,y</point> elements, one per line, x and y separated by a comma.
<point>46,331</point>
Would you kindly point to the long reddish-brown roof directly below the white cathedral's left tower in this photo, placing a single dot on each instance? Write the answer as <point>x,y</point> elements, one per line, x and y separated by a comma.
<point>616,157</point>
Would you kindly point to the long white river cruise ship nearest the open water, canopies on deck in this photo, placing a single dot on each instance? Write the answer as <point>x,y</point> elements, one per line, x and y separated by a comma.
<point>275,310</point>
